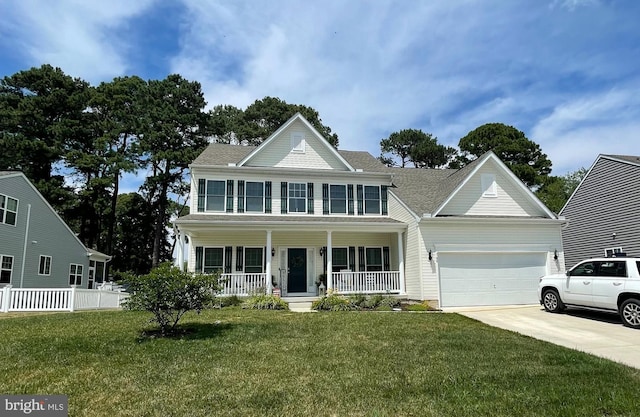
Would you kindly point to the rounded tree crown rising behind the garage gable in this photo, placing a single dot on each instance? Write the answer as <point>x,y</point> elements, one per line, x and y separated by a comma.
<point>523,156</point>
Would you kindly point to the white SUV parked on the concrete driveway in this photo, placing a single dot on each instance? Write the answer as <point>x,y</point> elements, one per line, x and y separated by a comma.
<point>611,284</point>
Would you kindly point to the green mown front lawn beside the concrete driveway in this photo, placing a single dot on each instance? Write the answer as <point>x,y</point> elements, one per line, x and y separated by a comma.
<point>245,363</point>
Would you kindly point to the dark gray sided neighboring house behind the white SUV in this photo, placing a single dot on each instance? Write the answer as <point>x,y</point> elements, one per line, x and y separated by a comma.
<point>604,210</point>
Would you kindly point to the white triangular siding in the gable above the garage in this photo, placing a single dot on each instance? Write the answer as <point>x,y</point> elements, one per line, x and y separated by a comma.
<point>511,199</point>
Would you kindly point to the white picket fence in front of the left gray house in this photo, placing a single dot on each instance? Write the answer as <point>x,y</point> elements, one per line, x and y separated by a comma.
<point>57,299</point>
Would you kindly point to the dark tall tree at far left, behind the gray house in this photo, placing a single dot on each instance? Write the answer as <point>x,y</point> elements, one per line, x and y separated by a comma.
<point>41,110</point>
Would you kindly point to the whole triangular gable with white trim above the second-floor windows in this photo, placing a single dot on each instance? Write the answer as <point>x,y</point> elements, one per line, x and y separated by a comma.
<point>296,144</point>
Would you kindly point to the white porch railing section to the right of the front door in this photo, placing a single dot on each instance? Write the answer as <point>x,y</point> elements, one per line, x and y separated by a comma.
<point>366,282</point>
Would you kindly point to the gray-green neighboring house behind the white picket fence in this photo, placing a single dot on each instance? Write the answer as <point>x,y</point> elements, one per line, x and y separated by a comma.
<point>37,248</point>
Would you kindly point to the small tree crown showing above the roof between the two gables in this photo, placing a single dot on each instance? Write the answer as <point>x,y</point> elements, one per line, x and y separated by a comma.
<point>415,146</point>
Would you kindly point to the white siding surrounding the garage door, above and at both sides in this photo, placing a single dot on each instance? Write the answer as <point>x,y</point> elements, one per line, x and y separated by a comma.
<point>497,237</point>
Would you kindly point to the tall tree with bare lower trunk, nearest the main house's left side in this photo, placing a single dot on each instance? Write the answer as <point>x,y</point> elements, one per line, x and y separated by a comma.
<point>174,137</point>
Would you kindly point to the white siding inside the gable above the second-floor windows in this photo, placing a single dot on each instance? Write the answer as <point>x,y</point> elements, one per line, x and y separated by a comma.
<point>278,152</point>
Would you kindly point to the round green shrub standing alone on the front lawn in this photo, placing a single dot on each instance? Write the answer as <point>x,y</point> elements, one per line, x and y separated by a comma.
<point>168,293</point>
